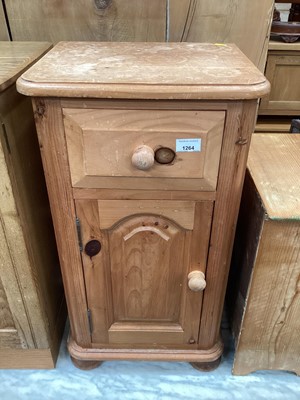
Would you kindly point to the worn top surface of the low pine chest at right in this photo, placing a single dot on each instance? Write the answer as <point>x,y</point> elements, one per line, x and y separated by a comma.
<point>274,164</point>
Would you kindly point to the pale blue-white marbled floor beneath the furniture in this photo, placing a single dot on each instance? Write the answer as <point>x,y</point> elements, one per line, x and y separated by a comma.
<point>146,381</point>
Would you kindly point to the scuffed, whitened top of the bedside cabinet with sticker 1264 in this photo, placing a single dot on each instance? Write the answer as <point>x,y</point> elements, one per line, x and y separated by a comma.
<point>144,70</point>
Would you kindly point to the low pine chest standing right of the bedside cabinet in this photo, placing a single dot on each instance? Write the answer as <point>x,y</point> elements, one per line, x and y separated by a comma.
<point>264,290</point>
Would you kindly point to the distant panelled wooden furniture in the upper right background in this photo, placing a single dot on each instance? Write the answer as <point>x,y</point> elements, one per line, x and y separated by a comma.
<point>283,72</point>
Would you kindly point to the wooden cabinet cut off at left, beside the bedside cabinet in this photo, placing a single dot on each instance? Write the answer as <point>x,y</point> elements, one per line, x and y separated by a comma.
<point>32,312</point>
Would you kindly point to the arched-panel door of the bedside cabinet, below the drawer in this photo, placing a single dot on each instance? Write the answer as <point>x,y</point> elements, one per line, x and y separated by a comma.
<point>136,259</point>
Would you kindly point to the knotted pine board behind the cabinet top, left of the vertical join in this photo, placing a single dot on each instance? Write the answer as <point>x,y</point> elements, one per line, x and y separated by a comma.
<point>87,20</point>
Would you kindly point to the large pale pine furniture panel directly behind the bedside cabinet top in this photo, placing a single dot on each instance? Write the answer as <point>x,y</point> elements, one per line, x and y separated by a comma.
<point>247,24</point>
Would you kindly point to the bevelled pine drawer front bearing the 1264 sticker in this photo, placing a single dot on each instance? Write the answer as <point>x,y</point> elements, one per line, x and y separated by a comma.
<point>101,143</point>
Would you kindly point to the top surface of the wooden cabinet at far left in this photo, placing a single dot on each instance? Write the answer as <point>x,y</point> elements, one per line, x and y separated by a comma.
<point>15,57</point>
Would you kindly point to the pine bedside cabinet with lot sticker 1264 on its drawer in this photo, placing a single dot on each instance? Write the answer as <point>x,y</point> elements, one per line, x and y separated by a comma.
<point>144,149</point>
